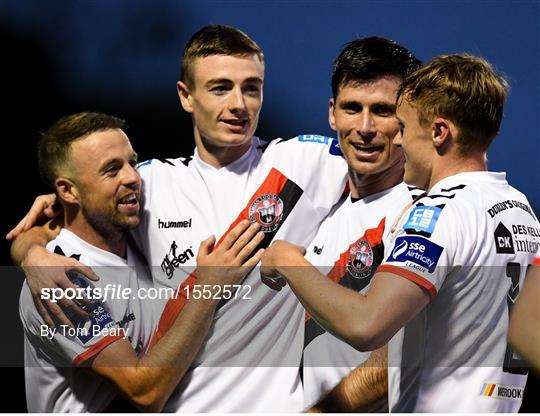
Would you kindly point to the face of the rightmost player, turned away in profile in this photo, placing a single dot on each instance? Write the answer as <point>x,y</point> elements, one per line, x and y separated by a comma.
<point>417,145</point>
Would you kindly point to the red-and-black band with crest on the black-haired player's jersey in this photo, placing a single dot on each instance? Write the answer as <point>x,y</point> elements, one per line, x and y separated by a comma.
<point>346,273</point>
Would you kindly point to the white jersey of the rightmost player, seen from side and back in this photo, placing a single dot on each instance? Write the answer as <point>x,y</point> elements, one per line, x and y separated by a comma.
<point>467,243</point>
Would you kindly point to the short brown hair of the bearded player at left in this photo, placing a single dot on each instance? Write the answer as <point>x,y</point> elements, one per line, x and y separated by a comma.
<point>54,145</point>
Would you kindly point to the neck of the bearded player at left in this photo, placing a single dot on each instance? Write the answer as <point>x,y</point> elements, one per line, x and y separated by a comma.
<point>113,242</point>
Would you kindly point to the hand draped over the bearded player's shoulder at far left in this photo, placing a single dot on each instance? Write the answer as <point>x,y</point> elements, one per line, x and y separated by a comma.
<point>48,270</point>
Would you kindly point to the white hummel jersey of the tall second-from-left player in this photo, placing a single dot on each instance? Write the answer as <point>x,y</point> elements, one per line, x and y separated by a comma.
<point>250,359</point>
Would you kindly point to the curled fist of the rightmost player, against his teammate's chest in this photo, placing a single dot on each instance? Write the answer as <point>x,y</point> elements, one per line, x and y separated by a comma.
<point>280,254</point>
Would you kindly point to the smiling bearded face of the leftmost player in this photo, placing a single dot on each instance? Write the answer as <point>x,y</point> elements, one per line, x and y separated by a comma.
<point>108,183</point>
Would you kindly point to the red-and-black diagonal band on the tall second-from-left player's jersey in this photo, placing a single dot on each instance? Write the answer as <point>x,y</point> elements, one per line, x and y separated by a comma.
<point>276,185</point>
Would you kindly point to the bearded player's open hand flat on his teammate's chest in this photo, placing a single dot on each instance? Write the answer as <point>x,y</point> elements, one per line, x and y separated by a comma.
<point>233,259</point>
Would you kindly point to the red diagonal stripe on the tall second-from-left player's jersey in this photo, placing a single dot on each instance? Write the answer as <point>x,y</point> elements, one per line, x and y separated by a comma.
<point>273,184</point>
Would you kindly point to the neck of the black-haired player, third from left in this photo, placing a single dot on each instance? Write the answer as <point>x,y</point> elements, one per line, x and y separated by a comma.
<point>364,185</point>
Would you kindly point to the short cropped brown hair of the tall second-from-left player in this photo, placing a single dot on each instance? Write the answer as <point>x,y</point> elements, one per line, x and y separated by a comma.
<point>217,40</point>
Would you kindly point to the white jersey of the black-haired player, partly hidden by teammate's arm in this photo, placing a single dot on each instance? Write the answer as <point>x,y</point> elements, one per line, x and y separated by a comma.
<point>348,249</point>
